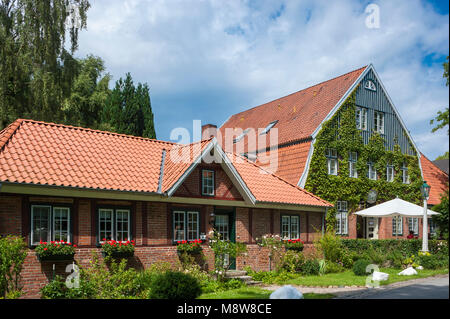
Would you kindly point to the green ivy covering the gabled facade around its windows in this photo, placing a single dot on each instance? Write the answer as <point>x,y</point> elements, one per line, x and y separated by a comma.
<point>340,133</point>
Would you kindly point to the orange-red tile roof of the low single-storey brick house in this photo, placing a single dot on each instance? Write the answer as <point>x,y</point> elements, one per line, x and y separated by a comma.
<point>40,153</point>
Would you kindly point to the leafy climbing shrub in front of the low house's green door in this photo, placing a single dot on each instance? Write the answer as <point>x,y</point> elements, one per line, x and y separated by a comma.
<point>222,250</point>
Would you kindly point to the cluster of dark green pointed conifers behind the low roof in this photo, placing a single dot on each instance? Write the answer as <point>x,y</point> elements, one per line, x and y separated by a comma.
<point>128,109</point>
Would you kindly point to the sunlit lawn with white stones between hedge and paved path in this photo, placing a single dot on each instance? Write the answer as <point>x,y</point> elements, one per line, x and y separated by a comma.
<point>347,278</point>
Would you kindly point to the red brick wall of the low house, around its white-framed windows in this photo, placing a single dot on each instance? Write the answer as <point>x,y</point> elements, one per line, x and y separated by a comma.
<point>152,230</point>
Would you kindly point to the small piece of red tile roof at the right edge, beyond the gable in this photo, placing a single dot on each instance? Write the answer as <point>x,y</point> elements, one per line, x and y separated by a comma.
<point>436,178</point>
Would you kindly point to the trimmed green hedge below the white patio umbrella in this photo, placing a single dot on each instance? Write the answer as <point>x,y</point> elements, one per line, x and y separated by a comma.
<point>406,247</point>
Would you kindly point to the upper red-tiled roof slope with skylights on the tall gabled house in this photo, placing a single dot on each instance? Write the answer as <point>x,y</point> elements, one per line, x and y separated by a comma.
<point>298,114</point>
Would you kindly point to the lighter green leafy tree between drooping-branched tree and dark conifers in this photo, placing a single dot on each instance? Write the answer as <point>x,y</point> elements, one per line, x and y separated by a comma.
<point>89,94</point>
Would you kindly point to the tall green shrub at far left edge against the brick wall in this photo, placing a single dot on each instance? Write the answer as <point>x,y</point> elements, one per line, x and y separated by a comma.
<point>13,251</point>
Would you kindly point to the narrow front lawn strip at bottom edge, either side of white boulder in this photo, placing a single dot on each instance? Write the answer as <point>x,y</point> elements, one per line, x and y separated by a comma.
<point>254,293</point>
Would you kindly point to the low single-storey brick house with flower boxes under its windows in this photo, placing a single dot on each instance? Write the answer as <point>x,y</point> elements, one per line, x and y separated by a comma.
<point>60,182</point>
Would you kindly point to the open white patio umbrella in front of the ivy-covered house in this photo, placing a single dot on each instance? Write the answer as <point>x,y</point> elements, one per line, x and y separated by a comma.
<point>395,207</point>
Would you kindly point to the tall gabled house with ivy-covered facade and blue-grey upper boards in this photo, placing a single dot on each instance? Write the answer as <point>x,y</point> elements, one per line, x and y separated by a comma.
<point>300,119</point>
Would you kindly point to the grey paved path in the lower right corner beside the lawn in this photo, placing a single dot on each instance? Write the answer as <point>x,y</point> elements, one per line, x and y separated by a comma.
<point>424,288</point>
